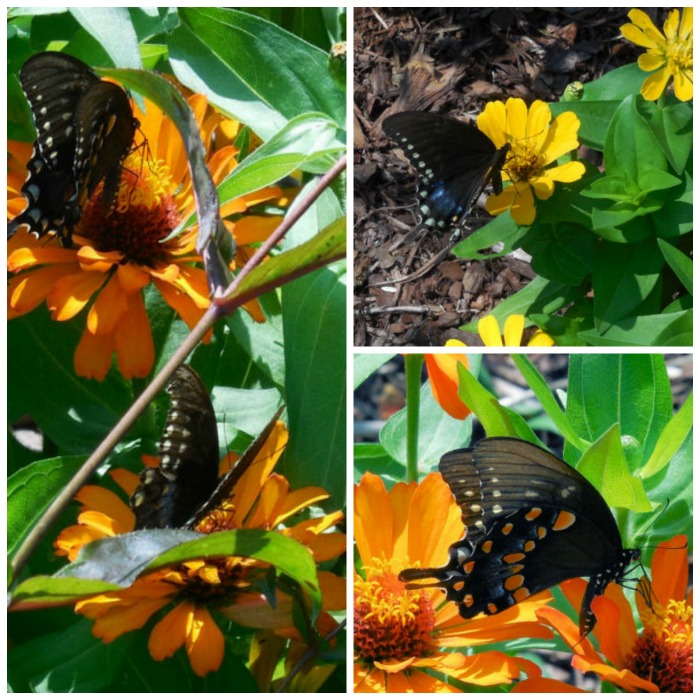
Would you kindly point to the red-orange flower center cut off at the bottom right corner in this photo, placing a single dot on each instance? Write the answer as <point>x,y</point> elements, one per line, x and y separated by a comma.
<point>664,652</point>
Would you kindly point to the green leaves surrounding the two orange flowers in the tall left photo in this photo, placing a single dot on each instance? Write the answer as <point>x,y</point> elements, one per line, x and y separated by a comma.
<point>269,69</point>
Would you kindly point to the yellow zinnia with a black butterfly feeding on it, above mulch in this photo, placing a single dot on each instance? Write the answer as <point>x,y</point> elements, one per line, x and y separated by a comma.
<point>534,144</point>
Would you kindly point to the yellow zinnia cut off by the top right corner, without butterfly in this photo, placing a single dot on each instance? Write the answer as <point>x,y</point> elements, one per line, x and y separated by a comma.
<point>669,55</point>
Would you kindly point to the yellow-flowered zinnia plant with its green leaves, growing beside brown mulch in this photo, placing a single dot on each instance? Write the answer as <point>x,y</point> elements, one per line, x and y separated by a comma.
<point>611,245</point>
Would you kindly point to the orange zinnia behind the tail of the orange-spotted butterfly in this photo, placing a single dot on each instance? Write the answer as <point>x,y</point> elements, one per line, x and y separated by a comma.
<point>401,634</point>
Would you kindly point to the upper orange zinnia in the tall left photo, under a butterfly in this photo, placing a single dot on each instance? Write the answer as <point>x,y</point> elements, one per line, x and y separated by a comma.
<point>119,255</point>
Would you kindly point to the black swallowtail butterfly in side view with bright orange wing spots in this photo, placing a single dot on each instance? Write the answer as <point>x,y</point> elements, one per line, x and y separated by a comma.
<point>531,521</point>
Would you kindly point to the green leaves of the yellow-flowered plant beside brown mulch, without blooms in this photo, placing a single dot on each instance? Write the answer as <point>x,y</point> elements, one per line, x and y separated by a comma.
<point>621,237</point>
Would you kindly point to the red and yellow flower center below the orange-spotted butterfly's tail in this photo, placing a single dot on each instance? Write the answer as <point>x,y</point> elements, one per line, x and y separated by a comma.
<point>391,622</point>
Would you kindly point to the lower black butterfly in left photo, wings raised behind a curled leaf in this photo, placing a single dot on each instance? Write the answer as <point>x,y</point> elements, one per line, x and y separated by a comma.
<point>186,486</point>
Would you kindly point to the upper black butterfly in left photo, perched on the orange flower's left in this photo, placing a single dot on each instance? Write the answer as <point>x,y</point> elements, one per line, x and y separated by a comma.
<point>85,128</point>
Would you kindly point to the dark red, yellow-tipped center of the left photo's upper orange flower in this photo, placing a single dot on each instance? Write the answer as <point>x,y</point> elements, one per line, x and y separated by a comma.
<point>143,215</point>
